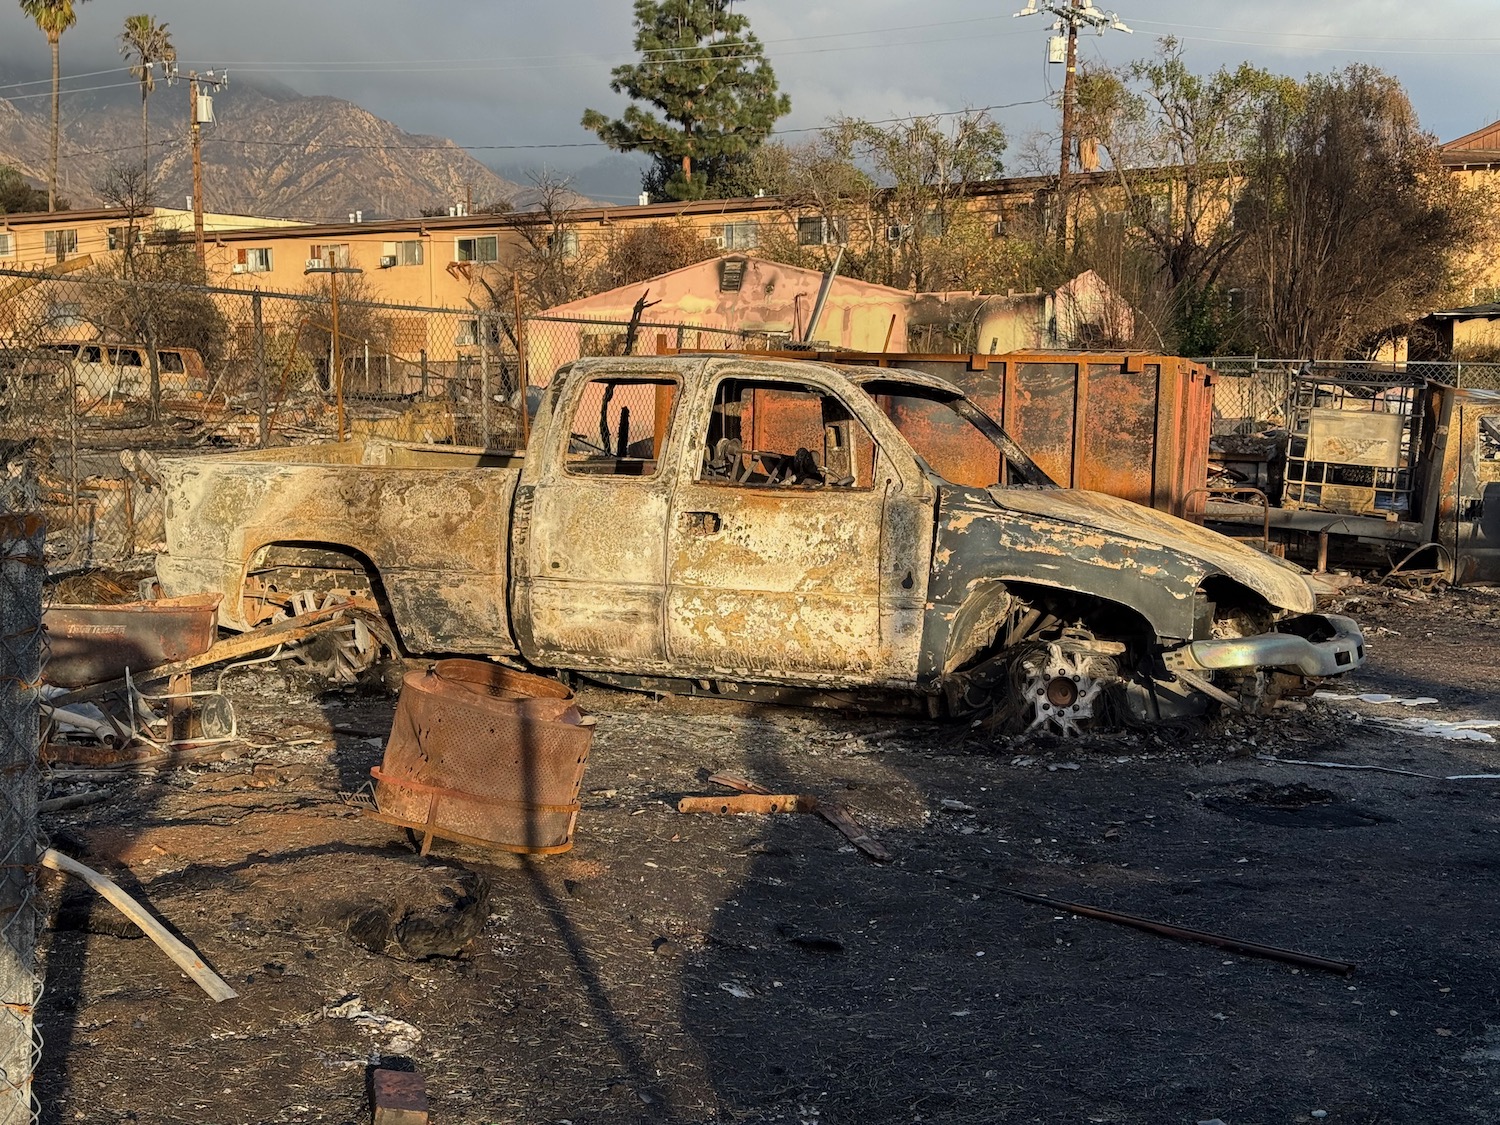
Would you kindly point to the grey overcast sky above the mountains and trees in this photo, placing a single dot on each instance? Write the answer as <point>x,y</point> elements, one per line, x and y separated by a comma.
<point>505,73</point>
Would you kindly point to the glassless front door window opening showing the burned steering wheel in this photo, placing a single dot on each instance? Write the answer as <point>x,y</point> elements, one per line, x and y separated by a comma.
<point>770,434</point>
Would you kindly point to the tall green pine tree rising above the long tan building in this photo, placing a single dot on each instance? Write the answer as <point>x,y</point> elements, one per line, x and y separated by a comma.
<point>707,76</point>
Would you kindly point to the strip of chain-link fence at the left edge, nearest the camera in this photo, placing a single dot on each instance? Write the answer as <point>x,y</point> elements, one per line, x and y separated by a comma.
<point>22,575</point>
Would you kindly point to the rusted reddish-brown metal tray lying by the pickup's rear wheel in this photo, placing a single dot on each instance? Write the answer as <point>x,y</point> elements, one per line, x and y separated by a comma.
<point>95,644</point>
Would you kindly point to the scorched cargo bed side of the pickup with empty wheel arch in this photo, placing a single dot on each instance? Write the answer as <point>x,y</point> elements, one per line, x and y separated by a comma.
<point>434,532</point>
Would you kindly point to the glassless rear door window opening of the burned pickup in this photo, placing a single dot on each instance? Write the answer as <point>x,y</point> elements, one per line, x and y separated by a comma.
<point>620,427</point>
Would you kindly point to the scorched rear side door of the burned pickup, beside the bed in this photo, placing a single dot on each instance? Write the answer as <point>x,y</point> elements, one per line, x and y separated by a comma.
<point>595,557</point>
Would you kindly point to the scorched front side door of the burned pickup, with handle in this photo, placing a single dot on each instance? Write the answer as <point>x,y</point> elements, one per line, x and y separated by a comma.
<point>781,563</point>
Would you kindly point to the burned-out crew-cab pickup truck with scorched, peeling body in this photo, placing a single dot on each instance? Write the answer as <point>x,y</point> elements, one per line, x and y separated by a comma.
<point>758,529</point>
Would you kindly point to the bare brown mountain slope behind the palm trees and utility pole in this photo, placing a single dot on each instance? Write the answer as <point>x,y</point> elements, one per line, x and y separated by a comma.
<point>271,152</point>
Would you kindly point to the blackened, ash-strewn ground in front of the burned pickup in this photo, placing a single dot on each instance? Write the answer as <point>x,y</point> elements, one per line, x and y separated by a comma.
<point>758,970</point>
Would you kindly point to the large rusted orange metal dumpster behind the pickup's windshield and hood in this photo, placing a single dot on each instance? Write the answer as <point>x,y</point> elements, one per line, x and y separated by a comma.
<point>1124,424</point>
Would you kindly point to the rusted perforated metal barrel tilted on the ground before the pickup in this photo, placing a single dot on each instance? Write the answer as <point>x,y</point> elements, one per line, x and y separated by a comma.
<point>485,757</point>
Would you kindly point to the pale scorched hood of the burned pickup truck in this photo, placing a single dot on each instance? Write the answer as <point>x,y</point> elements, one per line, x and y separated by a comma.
<point>1282,584</point>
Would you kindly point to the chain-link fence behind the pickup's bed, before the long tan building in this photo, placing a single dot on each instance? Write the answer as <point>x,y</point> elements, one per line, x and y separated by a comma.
<point>103,376</point>
